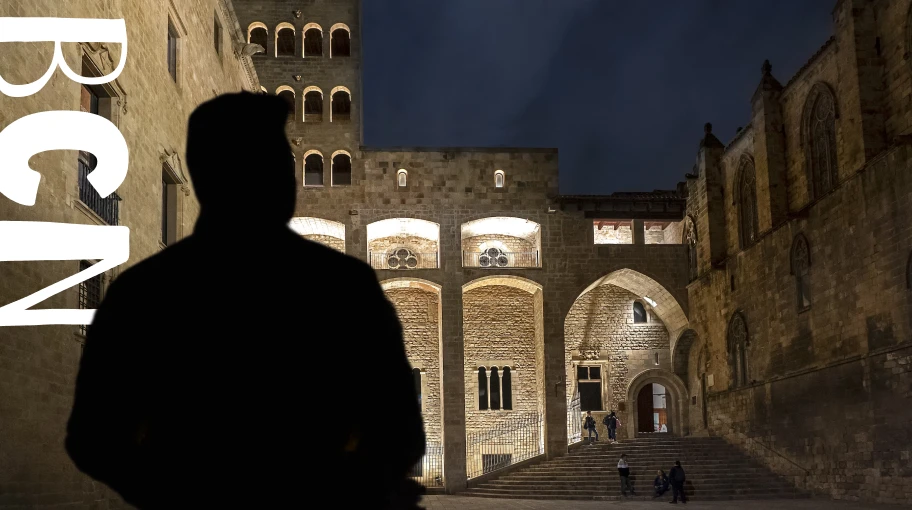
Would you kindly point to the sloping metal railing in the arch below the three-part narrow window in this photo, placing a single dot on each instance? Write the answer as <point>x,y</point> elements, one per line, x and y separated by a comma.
<point>500,446</point>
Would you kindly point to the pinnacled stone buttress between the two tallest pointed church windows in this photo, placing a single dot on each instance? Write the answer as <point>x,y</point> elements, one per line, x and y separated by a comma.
<point>769,152</point>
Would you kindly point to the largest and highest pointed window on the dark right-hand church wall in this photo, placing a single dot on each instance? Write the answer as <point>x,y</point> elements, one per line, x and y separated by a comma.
<point>820,140</point>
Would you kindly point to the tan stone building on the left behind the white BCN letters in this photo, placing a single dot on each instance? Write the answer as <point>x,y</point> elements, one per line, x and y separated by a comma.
<point>179,55</point>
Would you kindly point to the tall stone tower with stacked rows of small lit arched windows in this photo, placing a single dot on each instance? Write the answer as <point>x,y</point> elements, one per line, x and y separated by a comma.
<point>312,59</point>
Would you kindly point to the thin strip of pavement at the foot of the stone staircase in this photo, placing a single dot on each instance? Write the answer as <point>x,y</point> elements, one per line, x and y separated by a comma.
<point>462,503</point>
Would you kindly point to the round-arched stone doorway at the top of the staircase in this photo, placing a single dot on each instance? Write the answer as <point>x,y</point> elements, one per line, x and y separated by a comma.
<point>647,394</point>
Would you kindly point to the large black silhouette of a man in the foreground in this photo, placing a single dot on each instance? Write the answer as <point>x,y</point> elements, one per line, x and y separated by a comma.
<point>218,373</point>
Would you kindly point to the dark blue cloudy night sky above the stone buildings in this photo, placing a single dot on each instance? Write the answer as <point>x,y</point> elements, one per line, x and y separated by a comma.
<point>621,88</point>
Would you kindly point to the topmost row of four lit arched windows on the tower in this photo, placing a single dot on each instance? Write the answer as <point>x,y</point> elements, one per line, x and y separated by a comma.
<point>286,36</point>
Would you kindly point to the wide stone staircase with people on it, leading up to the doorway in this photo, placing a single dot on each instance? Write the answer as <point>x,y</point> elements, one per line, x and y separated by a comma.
<point>715,471</point>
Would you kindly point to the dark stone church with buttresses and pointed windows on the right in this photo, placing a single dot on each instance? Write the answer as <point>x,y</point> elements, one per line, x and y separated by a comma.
<point>798,343</point>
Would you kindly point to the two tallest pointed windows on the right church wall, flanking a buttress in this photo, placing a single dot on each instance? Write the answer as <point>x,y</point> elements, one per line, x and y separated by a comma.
<point>818,139</point>
